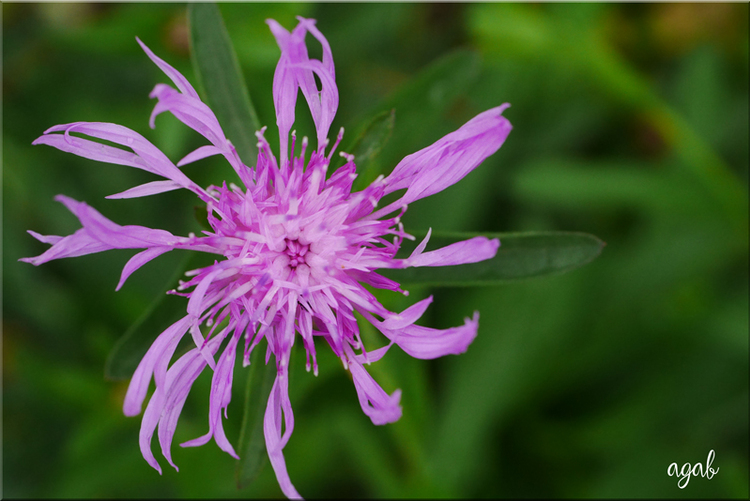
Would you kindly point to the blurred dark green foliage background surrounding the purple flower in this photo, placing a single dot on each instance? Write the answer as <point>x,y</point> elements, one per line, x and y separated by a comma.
<point>630,122</point>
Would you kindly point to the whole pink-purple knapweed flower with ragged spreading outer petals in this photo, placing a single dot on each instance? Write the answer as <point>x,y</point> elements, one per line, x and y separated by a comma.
<point>295,246</point>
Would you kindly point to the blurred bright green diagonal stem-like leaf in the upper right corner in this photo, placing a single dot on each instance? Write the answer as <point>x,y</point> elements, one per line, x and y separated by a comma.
<point>583,48</point>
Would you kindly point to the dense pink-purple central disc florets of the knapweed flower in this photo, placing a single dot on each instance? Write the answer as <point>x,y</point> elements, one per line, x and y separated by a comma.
<point>295,234</point>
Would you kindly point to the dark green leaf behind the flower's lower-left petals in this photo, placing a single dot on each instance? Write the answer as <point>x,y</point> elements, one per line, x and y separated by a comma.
<point>164,310</point>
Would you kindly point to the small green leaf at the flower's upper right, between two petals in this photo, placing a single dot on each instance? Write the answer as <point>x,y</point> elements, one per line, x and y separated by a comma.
<point>368,144</point>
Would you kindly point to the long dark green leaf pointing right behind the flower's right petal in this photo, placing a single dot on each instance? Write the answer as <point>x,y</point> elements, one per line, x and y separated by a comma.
<point>521,255</point>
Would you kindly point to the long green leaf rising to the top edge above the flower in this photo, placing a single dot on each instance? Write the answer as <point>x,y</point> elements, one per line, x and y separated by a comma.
<point>218,71</point>
